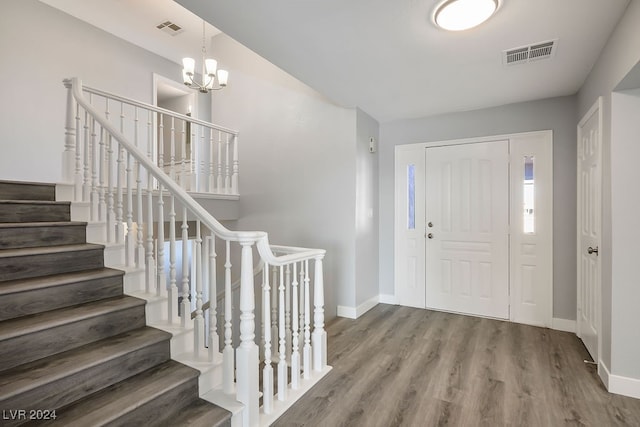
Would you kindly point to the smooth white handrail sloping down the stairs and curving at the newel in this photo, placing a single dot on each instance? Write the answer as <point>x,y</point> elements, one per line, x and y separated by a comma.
<point>259,237</point>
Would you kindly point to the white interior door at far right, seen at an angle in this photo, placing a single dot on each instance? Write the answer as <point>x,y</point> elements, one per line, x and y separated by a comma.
<point>589,227</point>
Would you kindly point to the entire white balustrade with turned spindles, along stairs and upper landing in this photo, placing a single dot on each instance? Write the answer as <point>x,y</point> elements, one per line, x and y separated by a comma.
<point>113,169</point>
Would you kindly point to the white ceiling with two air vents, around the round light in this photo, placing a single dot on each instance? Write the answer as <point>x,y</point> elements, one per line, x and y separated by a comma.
<point>386,57</point>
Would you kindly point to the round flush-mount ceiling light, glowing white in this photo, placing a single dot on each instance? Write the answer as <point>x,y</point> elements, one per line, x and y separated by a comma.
<point>458,15</point>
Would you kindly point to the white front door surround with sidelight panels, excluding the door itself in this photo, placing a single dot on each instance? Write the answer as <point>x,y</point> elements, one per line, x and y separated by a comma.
<point>530,291</point>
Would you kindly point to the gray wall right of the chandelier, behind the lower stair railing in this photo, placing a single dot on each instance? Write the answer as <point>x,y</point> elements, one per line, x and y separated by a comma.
<point>298,162</point>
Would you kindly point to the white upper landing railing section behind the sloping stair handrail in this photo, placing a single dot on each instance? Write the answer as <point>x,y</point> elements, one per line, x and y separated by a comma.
<point>198,155</point>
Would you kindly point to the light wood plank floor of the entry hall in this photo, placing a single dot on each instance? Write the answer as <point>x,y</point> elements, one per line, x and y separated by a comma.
<point>398,366</point>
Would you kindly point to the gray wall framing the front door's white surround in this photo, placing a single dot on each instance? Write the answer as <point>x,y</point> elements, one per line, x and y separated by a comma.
<point>557,114</point>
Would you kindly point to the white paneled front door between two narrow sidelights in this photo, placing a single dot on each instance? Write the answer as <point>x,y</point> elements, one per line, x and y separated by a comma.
<point>467,216</point>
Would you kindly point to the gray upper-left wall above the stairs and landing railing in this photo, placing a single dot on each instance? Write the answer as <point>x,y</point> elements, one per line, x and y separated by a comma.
<point>41,46</point>
